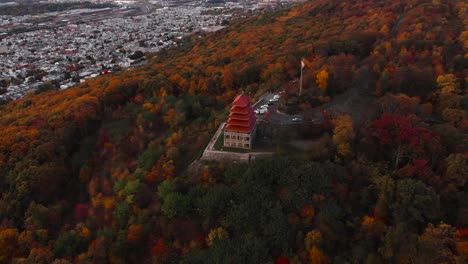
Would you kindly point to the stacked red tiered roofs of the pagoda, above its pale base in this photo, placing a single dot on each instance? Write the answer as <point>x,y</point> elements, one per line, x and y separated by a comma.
<point>242,117</point>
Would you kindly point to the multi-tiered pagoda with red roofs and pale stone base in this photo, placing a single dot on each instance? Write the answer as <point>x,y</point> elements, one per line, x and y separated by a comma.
<point>239,131</point>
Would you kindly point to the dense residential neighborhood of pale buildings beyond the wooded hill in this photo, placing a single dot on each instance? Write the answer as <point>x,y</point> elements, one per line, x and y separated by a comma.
<point>69,47</point>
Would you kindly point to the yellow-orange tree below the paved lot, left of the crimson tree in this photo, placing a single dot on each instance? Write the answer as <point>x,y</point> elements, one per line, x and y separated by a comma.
<point>343,134</point>
